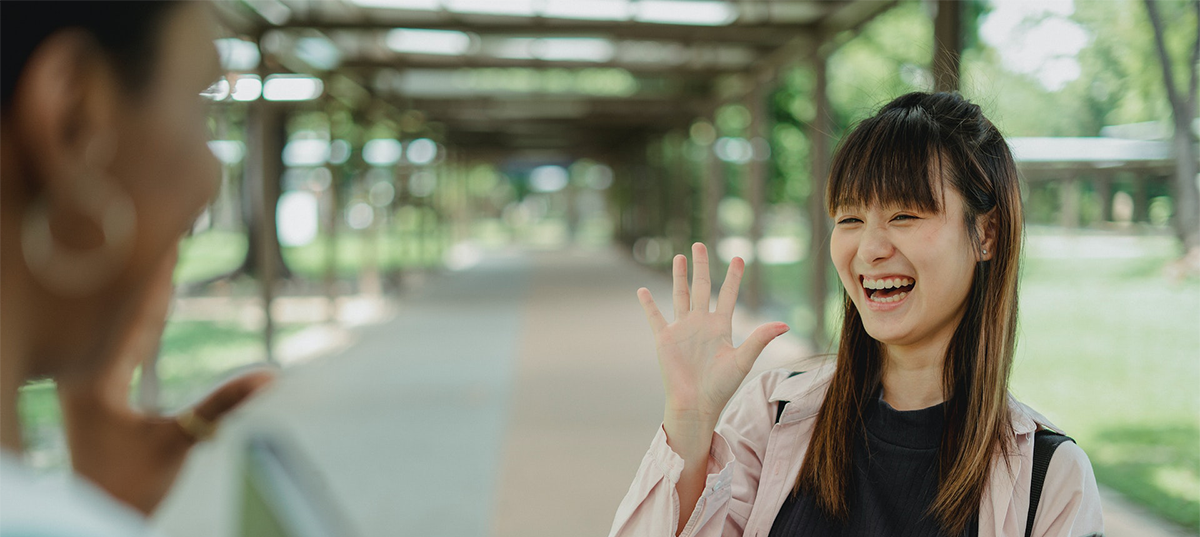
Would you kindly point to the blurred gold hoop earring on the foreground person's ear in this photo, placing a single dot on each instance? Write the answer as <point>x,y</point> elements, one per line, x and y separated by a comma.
<point>71,273</point>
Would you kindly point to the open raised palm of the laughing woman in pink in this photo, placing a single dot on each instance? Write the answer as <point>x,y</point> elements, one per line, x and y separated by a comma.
<point>701,369</point>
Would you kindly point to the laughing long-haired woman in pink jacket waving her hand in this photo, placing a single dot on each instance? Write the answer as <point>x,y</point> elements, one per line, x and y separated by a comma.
<point>913,431</point>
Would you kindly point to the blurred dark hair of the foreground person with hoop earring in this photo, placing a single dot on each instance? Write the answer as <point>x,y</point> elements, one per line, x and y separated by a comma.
<point>124,31</point>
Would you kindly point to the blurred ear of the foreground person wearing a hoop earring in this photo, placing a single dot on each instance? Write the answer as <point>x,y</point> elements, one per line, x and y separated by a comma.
<point>63,114</point>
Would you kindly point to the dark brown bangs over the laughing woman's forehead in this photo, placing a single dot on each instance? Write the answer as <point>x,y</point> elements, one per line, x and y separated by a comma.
<point>892,160</point>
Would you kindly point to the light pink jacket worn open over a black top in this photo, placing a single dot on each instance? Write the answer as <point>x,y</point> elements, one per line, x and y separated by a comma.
<point>754,463</point>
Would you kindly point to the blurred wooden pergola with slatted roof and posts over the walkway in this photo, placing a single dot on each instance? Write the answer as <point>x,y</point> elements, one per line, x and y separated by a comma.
<point>596,79</point>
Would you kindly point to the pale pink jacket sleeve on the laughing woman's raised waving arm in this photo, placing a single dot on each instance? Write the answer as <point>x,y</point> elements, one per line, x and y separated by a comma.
<point>651,509</point>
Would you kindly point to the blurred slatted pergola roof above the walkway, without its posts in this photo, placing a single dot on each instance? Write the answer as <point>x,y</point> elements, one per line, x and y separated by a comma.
<point>565,75</point>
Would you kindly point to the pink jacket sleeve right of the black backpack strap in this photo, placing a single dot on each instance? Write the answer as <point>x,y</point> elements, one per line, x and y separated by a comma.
<point>1071,502</point>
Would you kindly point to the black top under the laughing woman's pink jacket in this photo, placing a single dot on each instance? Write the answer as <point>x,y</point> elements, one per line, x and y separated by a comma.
<point>895,482</point>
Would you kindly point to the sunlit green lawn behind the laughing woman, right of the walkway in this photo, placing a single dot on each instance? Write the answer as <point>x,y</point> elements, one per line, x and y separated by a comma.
<point>1108,349</point>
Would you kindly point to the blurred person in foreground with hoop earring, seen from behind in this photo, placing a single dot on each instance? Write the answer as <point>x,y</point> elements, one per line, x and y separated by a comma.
<point>104,167</point>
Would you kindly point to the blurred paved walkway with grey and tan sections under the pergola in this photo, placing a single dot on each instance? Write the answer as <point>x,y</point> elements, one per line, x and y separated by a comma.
<point>513,400</point>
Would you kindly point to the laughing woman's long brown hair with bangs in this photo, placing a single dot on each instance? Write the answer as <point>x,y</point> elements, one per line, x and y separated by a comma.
<point>904,156</point>
